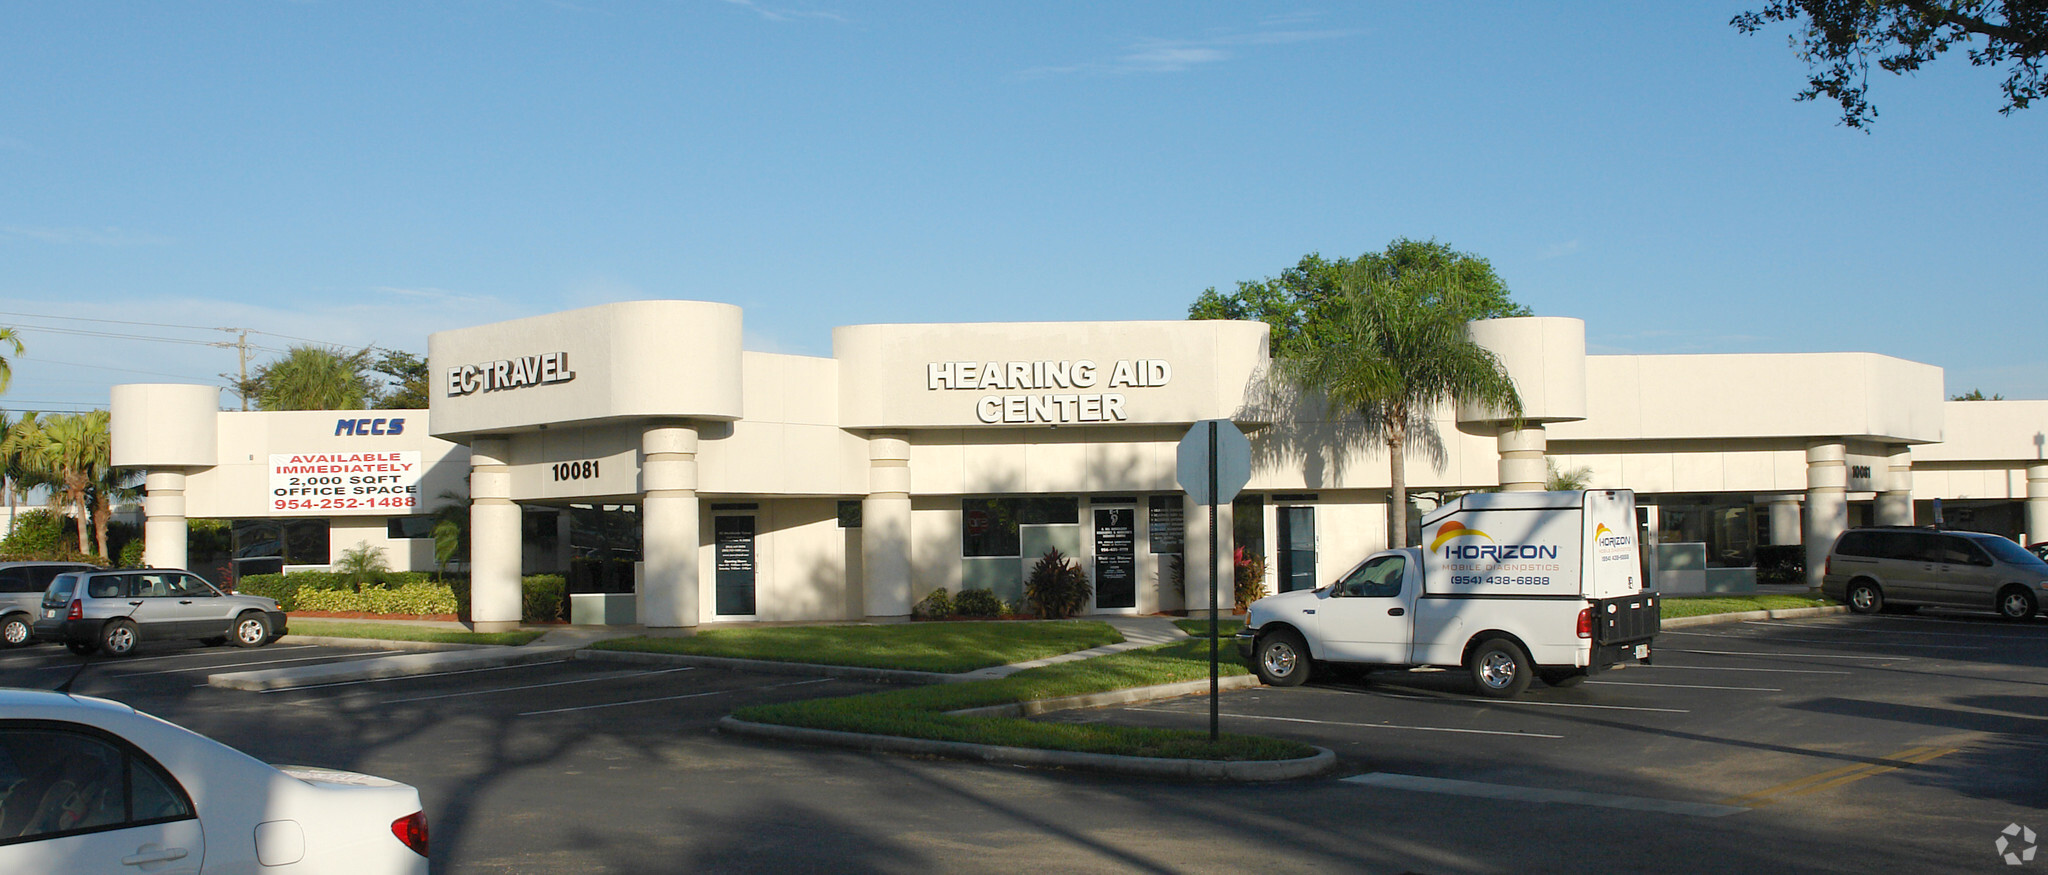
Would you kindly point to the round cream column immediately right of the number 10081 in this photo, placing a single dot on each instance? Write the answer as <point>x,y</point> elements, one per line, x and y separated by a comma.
<point>669,528</point>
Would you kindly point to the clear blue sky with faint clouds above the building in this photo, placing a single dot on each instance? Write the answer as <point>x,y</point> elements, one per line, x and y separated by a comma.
<point>368,173</point>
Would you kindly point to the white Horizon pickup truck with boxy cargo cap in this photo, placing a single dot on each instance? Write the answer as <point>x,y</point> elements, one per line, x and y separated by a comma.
<point>1508,585</point>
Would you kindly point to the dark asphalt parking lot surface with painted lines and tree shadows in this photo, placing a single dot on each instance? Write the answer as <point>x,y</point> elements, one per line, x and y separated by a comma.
<point>1811,745</point>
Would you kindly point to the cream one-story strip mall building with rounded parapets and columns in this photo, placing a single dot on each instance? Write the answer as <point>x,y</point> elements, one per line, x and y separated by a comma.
<point>753,487</point>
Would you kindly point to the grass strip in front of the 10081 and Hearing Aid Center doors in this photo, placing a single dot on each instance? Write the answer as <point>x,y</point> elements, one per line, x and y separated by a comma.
<point>908,647</point>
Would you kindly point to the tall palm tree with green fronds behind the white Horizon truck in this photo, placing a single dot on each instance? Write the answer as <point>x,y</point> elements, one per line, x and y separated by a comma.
<point>1396,349</point>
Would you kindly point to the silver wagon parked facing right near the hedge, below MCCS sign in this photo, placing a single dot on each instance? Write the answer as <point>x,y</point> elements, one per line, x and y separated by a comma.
<point>116,612</point>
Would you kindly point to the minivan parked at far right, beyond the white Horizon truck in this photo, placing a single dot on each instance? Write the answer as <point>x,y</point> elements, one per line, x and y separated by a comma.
<point>1897,567</point>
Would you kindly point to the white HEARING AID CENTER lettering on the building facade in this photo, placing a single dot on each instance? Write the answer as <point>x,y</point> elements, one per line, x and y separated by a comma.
<point>1037,392</point>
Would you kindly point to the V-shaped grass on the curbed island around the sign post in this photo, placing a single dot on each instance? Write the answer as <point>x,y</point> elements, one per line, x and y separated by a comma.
<point>923,712</point>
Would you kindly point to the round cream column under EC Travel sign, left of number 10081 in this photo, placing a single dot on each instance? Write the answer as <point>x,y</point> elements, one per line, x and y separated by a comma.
<point>495,540</point>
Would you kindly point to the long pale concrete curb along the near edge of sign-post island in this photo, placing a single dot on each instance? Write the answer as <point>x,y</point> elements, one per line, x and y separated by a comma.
<point>1056,759</point>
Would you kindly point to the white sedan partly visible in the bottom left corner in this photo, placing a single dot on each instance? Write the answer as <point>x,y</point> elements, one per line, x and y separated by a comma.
<point>91,786</point>
